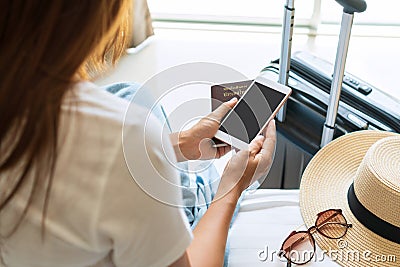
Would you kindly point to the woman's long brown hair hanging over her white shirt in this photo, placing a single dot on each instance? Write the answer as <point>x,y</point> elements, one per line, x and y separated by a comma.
<point>45,47</point>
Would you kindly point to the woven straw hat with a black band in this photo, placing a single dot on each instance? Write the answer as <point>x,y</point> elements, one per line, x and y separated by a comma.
<point>363,167</point>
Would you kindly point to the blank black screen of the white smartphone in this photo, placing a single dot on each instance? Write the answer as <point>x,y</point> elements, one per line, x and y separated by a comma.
<point>252,112</point>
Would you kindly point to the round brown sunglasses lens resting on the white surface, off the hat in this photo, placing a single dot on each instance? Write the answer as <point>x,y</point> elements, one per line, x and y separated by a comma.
<point>299,248</point>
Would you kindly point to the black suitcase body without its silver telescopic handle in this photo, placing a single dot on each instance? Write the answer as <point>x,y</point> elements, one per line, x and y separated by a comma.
<point>362,106</point>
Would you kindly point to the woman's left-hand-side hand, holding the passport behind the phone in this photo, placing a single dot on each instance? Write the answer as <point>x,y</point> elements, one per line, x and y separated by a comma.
<point>196,142</point>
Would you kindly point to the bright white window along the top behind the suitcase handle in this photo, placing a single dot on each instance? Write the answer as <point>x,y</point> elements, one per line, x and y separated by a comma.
<point>315,15</point>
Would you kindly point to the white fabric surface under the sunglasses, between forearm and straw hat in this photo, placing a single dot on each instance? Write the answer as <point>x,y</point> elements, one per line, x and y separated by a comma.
<point>265,219</point>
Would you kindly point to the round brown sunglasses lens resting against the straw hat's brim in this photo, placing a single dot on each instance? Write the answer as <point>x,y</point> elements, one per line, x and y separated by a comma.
<point>332,223</point>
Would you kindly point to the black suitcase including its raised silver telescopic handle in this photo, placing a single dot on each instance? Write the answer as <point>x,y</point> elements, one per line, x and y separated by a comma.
<point>300,134</point>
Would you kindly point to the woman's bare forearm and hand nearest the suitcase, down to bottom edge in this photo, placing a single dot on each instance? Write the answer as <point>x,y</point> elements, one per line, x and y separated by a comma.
<point>210,234</point>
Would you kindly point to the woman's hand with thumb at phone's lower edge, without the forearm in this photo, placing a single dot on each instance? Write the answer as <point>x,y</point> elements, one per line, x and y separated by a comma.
<point>247,166</point>
